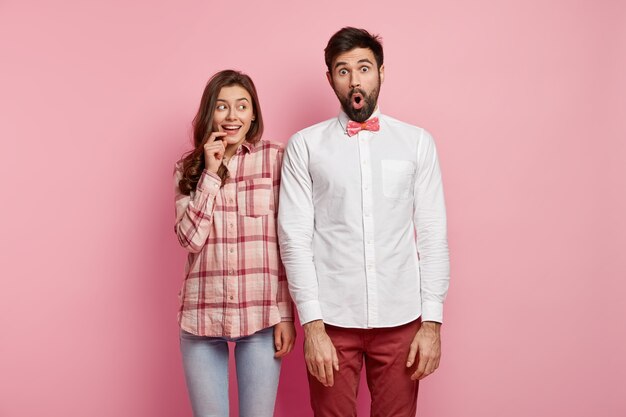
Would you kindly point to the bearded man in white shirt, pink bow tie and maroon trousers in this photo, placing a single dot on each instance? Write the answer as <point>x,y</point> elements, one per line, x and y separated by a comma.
<point>362,230</point>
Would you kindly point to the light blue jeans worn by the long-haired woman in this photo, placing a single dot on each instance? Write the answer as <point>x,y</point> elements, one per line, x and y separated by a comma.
<point>205,361</point>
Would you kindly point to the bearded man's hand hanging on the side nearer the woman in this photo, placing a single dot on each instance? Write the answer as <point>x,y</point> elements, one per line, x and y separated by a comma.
<point>319,353</point>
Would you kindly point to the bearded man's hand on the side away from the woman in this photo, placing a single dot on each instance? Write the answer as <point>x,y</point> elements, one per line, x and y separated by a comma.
<point>426,343</point>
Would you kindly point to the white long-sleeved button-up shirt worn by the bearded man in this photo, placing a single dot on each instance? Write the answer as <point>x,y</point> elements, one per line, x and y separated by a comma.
<point>349,212</point>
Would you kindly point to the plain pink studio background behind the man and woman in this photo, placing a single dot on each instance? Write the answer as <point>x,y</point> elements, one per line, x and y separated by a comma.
<point>526,100</point>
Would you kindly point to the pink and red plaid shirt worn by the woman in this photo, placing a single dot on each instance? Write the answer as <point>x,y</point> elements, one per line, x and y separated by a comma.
<point>235,283</point>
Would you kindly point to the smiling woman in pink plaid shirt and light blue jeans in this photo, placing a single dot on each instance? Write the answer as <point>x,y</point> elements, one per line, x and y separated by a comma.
<point>235,287</point>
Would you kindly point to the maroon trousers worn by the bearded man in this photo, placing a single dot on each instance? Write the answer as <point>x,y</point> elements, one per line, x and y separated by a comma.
<point>384,352</point>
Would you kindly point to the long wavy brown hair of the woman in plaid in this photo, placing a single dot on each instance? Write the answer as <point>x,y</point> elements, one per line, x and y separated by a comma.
<point>193,161</point>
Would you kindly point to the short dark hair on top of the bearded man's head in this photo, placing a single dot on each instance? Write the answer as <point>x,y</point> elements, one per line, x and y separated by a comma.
<point>349,38</point>
